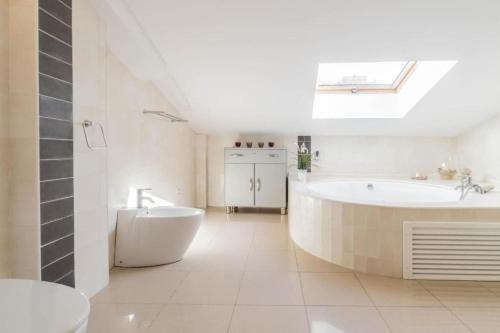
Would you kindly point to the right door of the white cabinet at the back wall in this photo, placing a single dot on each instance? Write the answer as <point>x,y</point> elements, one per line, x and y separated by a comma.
<point>270,185</point>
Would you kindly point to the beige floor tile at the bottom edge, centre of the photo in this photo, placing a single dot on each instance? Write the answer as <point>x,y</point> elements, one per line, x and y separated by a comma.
<point>269,319</point>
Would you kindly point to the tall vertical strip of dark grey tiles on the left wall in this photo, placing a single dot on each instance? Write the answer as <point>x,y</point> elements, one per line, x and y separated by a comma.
<point>56,141</point>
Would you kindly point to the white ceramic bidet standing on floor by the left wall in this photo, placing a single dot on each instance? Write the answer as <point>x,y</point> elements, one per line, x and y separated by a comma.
<point>157,236</point>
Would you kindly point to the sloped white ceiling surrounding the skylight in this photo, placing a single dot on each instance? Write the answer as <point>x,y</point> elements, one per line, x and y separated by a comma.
<point>250,66</point>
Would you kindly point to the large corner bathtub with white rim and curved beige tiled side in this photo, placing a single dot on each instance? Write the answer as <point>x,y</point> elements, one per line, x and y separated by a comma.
<point>358,224</point>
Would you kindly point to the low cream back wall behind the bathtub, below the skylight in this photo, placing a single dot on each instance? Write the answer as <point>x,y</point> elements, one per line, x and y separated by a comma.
<point>381,156</point>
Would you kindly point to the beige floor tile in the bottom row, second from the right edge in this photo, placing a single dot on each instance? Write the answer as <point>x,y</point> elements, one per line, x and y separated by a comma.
<point>422,320</point>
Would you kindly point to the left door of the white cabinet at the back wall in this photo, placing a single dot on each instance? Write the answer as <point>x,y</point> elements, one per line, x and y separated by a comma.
<point>239,185</point>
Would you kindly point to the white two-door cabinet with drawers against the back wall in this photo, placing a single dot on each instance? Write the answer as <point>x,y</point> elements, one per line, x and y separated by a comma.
<point>255,178</point>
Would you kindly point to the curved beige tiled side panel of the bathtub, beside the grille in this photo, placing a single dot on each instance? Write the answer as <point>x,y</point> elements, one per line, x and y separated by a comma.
<point>365,238</point>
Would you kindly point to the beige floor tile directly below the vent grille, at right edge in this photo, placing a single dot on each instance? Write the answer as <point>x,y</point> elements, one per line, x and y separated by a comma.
<point>462,293</point>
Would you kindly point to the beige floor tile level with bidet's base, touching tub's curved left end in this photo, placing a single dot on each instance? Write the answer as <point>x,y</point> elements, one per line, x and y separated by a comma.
<point>274,260</point>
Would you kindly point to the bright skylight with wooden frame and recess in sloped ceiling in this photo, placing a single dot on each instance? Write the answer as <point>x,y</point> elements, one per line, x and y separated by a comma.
<point>374,90</point>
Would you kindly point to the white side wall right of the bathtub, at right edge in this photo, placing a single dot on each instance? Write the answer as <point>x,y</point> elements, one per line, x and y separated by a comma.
<point>479,150</point>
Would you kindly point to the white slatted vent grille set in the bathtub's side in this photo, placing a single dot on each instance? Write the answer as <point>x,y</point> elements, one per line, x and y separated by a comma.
<point>451,251</point>
